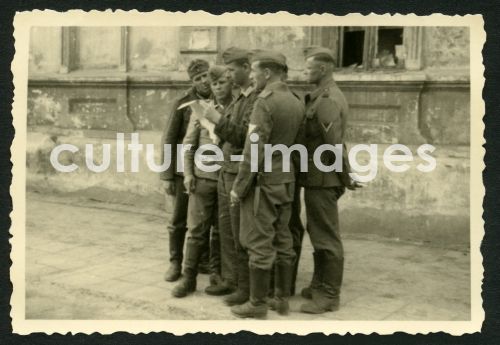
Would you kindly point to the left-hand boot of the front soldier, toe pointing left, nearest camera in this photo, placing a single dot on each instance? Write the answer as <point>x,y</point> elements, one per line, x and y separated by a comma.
<point>257,306</point>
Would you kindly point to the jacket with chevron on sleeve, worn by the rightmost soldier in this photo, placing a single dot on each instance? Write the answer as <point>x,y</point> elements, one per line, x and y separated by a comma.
<point>326,121</point>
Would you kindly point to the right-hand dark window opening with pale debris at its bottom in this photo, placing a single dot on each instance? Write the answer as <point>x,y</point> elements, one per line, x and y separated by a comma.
<point>390,50</point>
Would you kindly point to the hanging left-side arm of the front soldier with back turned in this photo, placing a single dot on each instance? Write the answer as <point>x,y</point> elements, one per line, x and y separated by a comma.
<point>262,124</point>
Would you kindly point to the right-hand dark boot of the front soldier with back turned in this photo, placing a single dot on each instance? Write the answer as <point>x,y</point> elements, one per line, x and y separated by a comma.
<point>283,274</point>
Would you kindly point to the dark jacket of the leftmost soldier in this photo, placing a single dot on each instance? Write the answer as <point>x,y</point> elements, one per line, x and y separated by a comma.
<point>175,130</point>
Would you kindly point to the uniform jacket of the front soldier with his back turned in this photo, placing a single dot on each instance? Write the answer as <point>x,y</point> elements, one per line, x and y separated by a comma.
<point>276,117</point>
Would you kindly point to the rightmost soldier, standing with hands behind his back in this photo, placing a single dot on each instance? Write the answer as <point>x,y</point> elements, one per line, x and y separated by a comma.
<point>326,120</point>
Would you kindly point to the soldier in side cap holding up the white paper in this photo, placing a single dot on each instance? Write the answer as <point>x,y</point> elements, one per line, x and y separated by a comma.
<point>232,129</point>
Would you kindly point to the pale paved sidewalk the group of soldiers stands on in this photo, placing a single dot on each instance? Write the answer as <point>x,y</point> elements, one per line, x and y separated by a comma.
<point>95,260</point>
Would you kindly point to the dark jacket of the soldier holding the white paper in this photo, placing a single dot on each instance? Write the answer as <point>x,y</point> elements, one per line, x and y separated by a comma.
<point>233,127</point>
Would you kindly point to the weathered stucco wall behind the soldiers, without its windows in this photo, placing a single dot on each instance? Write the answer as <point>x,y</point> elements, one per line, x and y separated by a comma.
<point>431,105</point>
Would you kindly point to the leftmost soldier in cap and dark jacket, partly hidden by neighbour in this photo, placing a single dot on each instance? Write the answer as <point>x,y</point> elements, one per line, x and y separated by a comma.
<point>175,130</point>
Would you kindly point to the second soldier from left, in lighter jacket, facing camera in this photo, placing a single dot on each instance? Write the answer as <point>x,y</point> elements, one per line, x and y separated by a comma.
<point>201,184</point>
